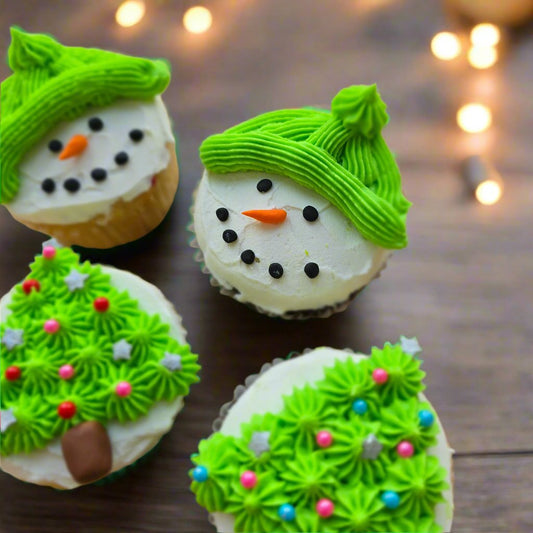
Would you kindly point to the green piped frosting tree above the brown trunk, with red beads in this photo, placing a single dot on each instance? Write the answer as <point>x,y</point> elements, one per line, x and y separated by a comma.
<point>85,340</point>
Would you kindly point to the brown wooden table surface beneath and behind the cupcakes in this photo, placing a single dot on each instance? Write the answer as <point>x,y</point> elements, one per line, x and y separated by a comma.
<point>463,286</point>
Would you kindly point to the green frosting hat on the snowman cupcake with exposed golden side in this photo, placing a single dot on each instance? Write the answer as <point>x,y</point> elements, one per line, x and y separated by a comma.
<point>51,83</point>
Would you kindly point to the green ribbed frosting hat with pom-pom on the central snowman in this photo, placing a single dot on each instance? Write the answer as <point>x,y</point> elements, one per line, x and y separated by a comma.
<point>340,155</point>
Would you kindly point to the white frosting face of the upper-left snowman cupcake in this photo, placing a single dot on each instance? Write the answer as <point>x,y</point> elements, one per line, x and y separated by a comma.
<point>55,191</point>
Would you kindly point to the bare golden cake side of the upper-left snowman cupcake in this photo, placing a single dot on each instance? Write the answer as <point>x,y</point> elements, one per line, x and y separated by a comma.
<point>126,221</point>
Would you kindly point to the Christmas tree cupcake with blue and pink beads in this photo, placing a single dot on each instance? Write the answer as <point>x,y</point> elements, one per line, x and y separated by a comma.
<point>330,441</point>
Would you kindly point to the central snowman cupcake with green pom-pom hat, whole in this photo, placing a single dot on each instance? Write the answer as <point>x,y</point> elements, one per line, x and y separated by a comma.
<point>299,209</point>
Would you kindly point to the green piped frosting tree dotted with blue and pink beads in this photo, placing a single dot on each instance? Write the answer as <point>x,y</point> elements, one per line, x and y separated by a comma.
<point>293,468</point>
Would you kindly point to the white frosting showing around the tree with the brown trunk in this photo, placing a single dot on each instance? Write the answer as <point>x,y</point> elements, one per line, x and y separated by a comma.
<point>131,440</point>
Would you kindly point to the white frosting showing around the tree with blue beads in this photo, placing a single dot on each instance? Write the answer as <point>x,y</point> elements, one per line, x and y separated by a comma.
<point>266,396</point>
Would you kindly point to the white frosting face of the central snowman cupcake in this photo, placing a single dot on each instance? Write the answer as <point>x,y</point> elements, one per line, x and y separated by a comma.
<point>346,260</point>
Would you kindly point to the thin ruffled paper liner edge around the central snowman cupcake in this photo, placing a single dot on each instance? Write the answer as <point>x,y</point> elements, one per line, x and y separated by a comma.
<point>322,312</point>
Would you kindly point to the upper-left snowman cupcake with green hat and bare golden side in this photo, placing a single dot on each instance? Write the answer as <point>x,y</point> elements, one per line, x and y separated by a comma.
<point>87,153</point>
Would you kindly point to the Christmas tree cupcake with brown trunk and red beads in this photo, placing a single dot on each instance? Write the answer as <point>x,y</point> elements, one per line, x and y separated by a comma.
<point>93,372</point>
